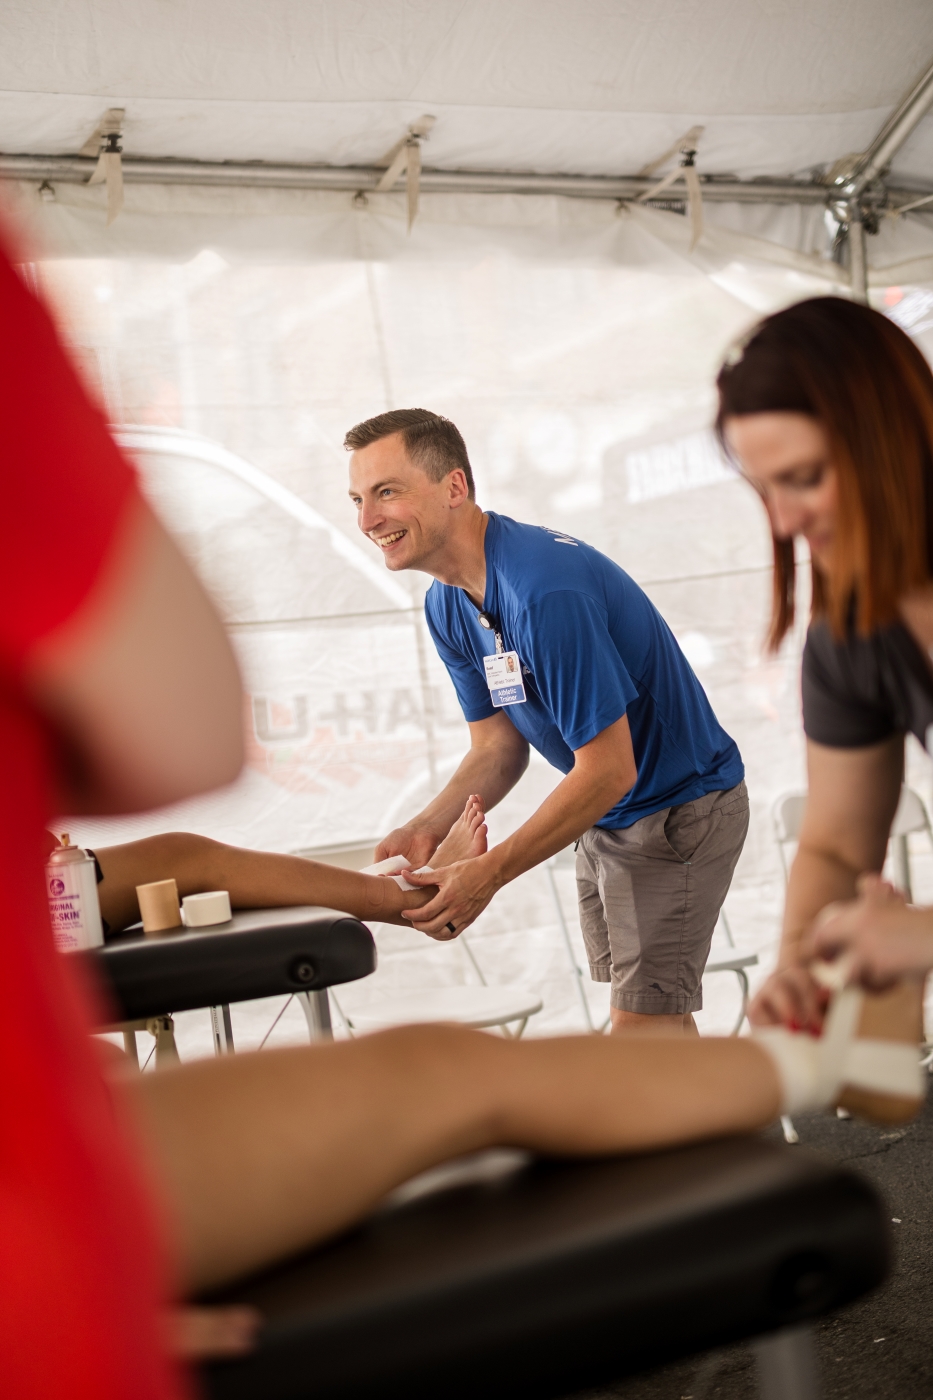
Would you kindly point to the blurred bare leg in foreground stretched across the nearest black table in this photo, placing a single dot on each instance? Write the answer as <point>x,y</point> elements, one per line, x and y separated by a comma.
<point>263,1156</point>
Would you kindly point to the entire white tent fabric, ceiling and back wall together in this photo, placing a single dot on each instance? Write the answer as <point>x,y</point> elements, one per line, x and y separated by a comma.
<point>235,334</point>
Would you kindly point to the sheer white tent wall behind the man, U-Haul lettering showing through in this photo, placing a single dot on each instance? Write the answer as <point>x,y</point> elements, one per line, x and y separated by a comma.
<point>583,384</point>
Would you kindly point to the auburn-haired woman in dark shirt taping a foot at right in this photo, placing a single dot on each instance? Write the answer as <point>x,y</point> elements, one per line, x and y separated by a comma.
<point>829,411</point>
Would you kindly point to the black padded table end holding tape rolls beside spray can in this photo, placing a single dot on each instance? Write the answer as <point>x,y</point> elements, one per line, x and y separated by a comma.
<point>260,953</point>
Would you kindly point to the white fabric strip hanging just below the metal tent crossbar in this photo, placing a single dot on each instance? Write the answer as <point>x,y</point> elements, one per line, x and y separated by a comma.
<point>179,222</point>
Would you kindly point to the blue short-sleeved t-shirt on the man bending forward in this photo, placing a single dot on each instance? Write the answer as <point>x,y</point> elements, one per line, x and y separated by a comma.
<point>592,647</point>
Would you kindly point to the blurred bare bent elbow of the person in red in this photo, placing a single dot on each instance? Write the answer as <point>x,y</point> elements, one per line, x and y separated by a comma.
<point>142,682</point>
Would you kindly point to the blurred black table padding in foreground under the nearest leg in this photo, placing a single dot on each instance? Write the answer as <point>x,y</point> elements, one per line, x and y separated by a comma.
<point>543,1279</point>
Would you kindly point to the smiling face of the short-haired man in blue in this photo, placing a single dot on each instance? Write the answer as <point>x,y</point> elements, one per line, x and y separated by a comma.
<point>400,507</point>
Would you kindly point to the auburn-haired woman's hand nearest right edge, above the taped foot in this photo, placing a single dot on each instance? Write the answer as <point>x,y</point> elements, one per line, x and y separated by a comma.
<point>880,934</point>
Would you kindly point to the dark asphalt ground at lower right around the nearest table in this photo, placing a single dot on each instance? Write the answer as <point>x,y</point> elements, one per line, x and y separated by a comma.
<point>879,1349</point>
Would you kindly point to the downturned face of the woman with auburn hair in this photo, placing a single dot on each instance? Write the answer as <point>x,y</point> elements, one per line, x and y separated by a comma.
<point>788,460</point>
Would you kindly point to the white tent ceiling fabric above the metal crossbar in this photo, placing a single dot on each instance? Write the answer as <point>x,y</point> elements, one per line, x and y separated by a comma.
<point>546,86</point>
